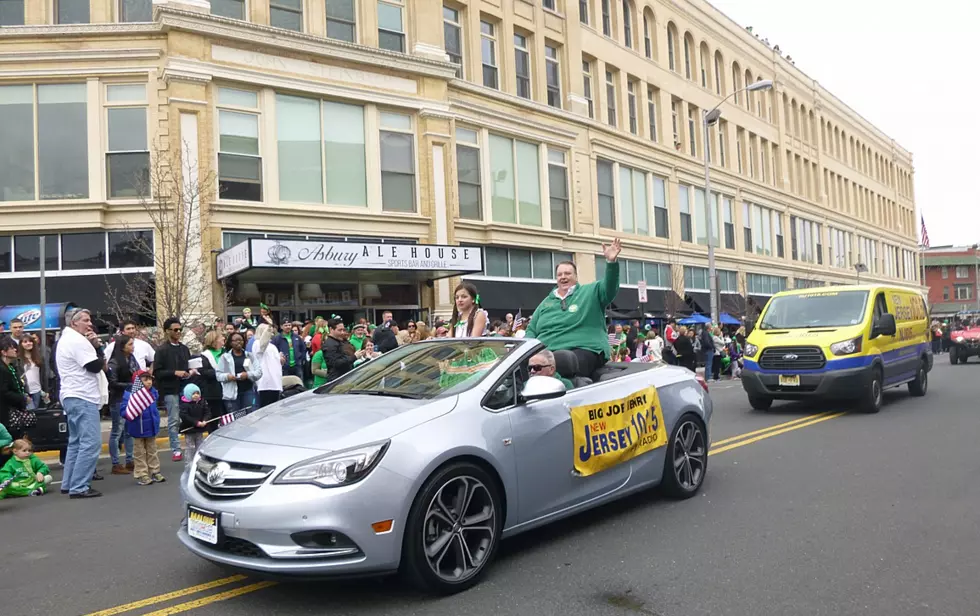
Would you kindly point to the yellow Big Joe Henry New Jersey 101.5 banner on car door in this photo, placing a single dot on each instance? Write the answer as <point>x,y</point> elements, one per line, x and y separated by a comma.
<point>612,432</point>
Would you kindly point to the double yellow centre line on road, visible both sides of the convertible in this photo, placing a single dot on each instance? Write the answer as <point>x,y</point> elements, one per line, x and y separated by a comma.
<point>721,446</point>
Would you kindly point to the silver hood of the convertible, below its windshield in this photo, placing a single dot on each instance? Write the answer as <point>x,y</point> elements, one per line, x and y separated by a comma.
<point>326,422</point>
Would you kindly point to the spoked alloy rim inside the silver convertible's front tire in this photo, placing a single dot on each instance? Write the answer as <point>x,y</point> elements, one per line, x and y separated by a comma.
<point>459,529</point>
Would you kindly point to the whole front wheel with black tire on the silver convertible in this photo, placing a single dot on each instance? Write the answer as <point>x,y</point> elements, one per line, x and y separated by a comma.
<point>453,529</point>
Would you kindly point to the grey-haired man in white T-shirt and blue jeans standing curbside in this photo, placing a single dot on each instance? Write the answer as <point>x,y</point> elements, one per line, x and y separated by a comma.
<point>81,359</point>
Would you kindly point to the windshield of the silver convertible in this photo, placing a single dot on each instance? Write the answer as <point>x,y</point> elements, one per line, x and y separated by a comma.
<point>426,370</point>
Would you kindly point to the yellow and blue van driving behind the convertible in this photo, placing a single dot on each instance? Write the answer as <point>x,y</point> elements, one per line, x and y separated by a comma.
<point>845,342</point>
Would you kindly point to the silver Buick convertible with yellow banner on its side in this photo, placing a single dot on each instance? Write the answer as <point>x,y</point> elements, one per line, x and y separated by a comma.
<point>423,460</point>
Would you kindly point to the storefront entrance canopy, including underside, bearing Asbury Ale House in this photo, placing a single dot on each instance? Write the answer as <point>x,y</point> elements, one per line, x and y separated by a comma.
<point>306,259</point>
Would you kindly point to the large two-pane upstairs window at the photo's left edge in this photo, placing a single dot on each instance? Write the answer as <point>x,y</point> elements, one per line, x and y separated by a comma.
<point>43,142</point>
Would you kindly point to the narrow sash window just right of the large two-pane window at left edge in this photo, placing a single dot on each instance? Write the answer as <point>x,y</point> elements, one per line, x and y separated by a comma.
<point>127,153</point>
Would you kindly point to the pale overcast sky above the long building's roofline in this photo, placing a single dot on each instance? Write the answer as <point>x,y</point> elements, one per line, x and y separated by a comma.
<point>909,69</point>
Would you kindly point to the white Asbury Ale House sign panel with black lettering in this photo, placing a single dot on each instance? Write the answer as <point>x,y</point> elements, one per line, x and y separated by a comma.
<point>348,255</point>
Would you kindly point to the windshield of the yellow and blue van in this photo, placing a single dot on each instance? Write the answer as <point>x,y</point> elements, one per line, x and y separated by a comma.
<point>819,309</point>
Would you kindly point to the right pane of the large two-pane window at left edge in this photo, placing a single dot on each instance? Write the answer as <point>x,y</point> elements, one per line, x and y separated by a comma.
<point>62,141</point>
